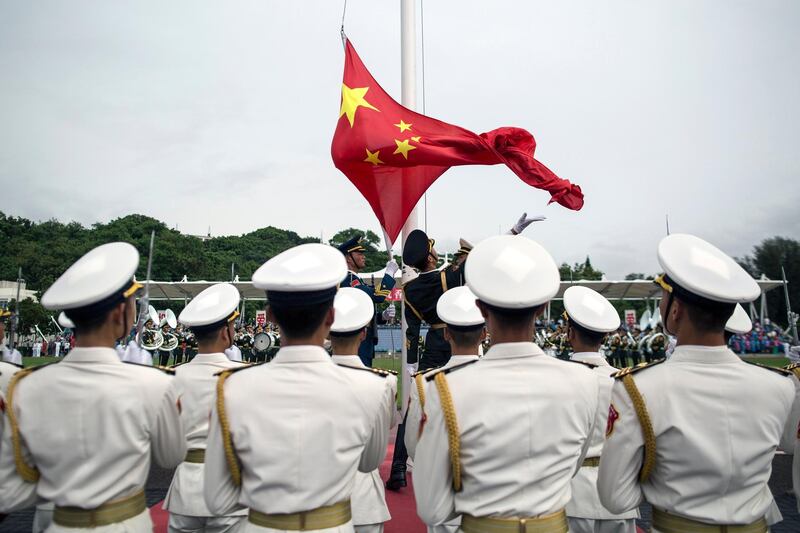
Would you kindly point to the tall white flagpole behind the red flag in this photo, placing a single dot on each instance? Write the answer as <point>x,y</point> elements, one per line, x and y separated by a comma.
<point>408,60</point>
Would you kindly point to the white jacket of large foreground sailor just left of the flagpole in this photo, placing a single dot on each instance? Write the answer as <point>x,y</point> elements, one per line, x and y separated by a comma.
<point>301,425</point>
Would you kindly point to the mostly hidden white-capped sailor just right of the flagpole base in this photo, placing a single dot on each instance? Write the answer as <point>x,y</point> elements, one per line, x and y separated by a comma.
<point>465,330</point>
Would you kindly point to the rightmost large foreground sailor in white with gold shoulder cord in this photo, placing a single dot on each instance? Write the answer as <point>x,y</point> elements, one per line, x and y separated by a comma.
<point>695,435</point>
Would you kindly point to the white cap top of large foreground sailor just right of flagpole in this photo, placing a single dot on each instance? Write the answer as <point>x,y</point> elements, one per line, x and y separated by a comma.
<point>512,272</point>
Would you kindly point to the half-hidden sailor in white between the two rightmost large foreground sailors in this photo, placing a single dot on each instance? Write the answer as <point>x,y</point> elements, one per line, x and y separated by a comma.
<point>589,318</point>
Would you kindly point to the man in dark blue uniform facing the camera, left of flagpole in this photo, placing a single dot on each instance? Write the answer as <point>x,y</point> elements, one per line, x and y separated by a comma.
<point>353,251</point>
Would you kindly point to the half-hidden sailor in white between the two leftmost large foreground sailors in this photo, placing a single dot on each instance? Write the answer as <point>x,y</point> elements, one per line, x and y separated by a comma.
<point>210,315</point>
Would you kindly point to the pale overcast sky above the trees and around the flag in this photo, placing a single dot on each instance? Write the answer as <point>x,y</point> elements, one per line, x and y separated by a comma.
<point>220,114</point>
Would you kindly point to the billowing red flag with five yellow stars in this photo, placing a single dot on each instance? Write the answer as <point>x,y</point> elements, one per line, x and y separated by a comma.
<point>392,154</point>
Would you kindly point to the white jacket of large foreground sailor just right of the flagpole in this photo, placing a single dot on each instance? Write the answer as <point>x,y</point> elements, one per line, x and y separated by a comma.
<point>524,421</point>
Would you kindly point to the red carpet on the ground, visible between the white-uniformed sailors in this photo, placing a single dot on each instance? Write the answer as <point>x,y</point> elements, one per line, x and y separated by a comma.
<point>402,506</point>
